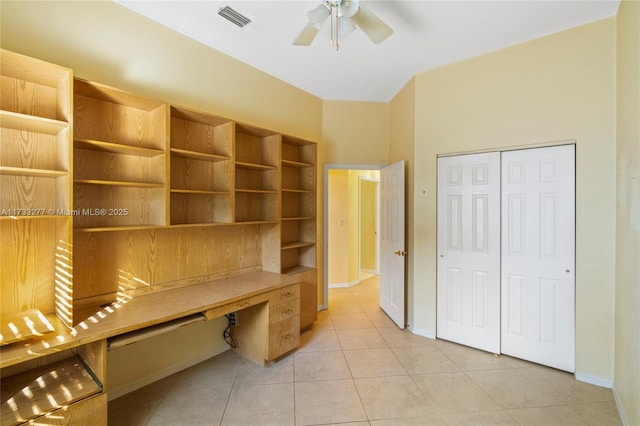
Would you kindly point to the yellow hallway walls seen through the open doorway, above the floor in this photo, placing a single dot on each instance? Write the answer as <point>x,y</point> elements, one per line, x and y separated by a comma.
<point>351,223</point>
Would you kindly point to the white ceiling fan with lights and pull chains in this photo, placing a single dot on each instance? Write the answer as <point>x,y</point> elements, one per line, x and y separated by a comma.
<point>345,16</point>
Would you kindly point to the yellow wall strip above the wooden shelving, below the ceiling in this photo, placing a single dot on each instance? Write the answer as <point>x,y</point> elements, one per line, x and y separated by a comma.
<point>105,42</point>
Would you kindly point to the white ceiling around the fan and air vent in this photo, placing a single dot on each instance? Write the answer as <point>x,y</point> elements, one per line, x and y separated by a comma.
<point>427,34</point>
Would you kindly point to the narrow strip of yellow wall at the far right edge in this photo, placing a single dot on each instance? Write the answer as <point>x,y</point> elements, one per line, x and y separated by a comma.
<point>627,319</point>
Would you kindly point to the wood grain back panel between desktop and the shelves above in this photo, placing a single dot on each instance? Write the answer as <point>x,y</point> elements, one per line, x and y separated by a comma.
<point>126,261</point>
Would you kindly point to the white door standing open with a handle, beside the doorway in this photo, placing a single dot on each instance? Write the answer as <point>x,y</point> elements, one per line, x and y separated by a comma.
<point>392,248</point>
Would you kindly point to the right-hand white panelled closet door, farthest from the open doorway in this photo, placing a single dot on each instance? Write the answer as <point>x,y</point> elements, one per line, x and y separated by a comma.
<point>538,255</point>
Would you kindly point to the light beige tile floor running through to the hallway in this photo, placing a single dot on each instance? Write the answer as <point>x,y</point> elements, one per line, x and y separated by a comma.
<point>355,367</point>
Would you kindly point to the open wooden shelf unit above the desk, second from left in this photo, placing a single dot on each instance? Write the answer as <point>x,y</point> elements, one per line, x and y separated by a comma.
<point>119,165</point>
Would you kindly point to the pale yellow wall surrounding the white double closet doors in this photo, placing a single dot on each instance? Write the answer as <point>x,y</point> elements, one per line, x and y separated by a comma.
<point>554,88</point>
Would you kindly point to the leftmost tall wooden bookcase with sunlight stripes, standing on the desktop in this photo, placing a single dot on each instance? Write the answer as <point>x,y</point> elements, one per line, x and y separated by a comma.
<point>35,174</point>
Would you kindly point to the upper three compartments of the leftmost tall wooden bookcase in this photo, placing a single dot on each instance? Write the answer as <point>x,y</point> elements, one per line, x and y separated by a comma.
<point>35,140</point>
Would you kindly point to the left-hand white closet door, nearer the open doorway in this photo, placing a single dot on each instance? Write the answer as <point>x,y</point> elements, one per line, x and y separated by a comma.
<point>468,245</point>
